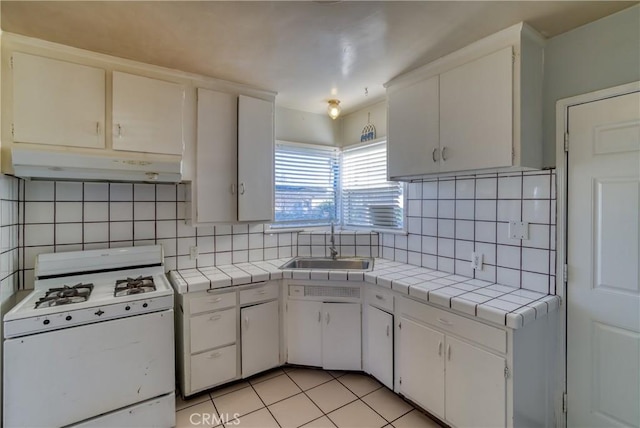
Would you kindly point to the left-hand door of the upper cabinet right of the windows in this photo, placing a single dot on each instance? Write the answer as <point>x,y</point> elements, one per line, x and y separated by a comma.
<point>413,143</point>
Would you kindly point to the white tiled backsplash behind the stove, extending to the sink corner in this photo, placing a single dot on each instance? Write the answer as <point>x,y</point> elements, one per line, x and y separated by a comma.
<point>70,216</point>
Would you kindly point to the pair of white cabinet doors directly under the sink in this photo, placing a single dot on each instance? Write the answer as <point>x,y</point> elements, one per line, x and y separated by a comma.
<point>324,334</point>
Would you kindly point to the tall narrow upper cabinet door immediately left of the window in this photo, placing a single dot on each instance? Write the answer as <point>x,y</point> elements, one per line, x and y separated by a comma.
<point>255,159</point>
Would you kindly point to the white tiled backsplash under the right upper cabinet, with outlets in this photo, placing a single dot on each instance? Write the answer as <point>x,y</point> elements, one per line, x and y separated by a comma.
<point>449,218</point>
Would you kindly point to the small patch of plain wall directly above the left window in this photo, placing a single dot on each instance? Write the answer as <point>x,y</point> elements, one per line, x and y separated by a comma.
<point>302,127</point>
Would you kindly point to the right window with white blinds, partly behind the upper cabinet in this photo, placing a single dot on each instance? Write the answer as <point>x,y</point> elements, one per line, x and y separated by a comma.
<point>368,199</point>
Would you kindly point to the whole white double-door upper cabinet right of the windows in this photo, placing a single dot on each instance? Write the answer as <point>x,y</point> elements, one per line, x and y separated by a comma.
<point>477,109</point>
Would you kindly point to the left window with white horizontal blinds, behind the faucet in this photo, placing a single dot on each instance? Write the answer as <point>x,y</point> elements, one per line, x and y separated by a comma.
<point>306,182</point>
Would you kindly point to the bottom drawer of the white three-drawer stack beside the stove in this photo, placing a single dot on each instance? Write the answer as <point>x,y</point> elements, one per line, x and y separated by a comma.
<point>213,367</point>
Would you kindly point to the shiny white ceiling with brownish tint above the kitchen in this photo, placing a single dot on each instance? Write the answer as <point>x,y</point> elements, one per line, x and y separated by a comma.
<point>307,51</point>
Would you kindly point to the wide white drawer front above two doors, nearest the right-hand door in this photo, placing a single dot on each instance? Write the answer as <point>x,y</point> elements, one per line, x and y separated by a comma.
<point>478,332</point>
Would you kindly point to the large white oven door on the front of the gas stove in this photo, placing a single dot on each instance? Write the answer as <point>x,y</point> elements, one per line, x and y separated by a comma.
<point>66,376</point>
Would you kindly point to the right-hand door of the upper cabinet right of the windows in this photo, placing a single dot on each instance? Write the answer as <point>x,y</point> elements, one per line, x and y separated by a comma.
<point>476,120</point>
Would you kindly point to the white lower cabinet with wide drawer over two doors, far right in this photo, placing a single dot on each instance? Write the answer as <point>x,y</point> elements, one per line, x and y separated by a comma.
<point>453,379</point>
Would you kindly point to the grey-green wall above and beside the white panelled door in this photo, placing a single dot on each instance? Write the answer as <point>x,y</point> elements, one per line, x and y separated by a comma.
<point>598,55</point>
